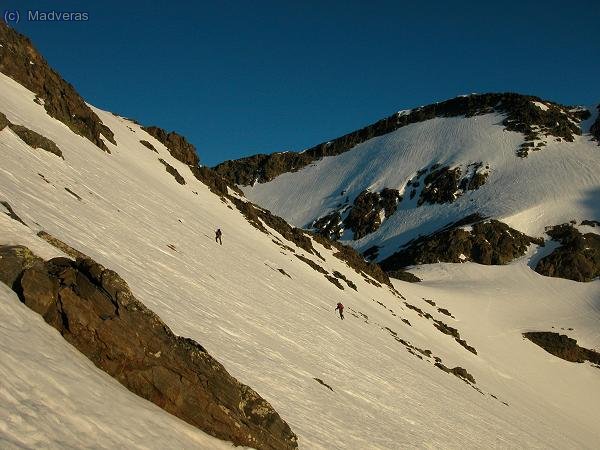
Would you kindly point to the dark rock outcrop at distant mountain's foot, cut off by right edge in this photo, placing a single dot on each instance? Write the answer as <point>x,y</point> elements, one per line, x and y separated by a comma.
<point>577,258</point>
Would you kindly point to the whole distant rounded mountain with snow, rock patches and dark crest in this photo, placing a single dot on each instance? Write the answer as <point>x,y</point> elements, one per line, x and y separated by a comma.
<point>526,162</point>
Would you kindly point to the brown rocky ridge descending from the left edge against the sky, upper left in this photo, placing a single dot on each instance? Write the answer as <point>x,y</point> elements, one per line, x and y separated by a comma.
<point>23,63</point>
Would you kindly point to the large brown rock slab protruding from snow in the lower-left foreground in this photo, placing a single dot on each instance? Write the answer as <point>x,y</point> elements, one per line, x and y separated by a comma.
<point>94,310</point>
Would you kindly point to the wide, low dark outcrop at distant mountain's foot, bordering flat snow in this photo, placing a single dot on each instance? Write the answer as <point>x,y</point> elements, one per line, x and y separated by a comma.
<point>471,239</point>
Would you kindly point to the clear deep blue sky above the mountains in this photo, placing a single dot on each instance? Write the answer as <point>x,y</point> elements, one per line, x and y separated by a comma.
<point>244,77</point>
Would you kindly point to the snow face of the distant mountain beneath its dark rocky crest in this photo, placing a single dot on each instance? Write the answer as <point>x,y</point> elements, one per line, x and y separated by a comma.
<point>557,184</point>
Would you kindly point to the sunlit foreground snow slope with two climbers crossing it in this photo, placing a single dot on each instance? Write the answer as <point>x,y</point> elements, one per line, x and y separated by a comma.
<point>273,332</point>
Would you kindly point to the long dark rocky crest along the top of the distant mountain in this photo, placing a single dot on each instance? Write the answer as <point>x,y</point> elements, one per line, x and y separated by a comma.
<point>521,115</point>
